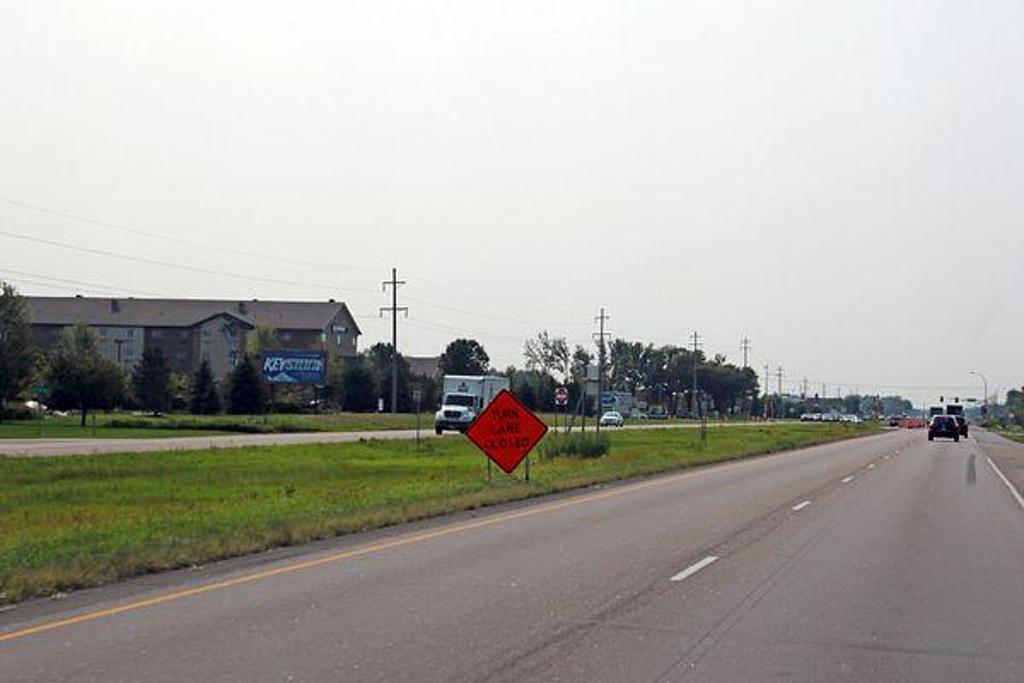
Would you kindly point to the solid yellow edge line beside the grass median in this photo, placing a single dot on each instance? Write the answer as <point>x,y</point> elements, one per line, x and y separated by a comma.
<point>359,552</point>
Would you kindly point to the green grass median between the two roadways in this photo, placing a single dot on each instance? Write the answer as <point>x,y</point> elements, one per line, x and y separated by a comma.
<point>84,521</point>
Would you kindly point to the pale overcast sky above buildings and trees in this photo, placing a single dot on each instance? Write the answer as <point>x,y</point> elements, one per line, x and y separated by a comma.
<point>839,182</point>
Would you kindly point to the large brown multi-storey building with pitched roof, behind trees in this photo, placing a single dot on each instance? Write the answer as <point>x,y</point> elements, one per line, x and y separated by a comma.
<point>189,331</point>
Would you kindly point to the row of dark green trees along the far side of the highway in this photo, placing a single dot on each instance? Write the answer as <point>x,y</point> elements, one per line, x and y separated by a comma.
<point>79,378</point>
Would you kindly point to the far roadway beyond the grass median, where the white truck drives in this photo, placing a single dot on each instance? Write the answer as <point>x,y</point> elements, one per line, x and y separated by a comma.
<point>73,447</point>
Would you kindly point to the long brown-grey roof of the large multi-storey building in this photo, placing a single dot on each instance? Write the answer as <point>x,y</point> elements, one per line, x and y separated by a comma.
<point>184,313</point>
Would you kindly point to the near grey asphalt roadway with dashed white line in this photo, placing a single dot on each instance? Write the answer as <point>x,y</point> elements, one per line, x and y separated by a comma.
<point>884,559</point>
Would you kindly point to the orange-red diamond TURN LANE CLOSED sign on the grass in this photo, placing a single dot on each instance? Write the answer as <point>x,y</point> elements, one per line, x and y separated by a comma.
<point>507,432</point>
